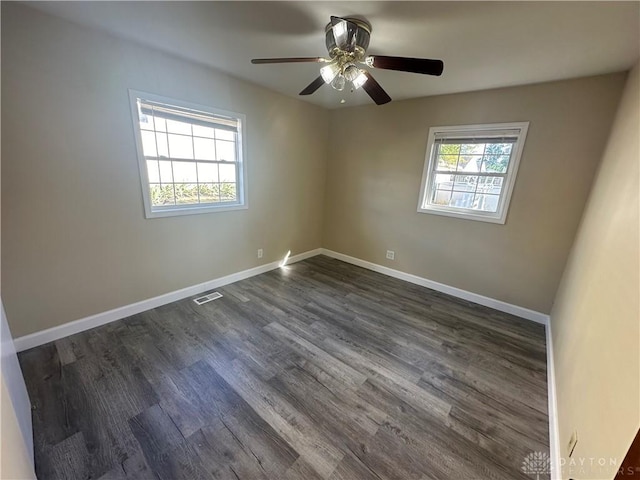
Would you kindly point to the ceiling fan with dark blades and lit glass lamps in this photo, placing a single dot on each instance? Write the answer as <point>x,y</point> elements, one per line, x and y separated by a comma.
<point>347,40</point>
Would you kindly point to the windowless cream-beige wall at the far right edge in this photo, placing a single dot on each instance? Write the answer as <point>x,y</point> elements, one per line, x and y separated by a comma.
<point>596,318</point>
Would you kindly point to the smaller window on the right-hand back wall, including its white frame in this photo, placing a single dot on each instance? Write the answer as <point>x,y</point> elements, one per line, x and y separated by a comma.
<point>470,170</point>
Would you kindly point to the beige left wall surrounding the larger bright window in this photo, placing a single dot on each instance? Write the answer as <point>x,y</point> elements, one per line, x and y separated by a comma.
<point>75,239</point>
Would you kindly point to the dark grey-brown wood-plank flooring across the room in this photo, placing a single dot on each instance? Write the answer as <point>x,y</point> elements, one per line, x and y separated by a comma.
<point>320,370</point>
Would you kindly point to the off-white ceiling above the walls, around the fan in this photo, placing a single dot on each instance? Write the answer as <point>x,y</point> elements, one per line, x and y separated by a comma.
<point>483,44</point>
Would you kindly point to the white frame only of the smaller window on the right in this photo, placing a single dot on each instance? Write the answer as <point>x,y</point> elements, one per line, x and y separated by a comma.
<point>494,130</point>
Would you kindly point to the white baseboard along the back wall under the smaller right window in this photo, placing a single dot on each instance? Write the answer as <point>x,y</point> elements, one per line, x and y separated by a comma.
<point>441,287</point>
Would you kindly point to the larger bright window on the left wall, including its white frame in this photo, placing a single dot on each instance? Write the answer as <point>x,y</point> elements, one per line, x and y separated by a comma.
<point>190,156</point>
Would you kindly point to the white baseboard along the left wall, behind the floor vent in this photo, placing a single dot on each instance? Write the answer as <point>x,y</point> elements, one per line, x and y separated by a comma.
<point>45,336</point>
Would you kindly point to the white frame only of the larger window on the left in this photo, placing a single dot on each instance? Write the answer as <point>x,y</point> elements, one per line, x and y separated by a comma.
<point>152,211</point>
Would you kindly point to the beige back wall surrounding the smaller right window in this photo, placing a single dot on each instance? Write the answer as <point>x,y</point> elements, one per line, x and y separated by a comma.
<point>373,182</point>
